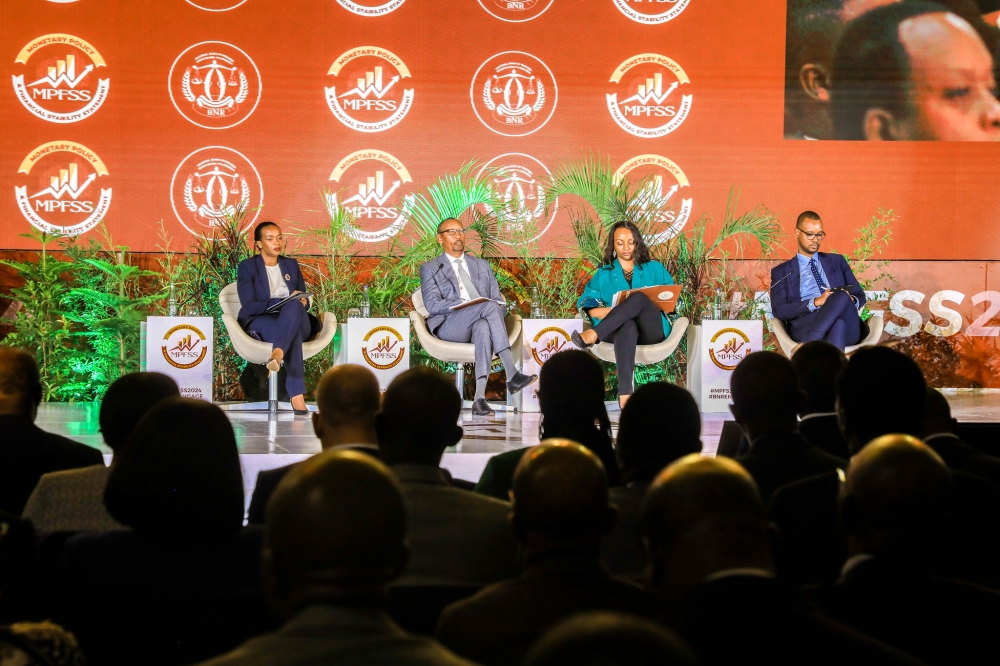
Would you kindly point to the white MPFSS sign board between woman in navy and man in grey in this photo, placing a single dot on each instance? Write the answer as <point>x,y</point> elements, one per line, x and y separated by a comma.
<point>381,345</point>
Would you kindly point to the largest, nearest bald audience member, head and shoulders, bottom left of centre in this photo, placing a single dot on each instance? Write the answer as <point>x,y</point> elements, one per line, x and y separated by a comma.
<point>336,538</point>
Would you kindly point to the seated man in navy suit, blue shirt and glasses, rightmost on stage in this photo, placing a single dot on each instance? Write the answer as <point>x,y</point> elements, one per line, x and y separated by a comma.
<point>815,294</point>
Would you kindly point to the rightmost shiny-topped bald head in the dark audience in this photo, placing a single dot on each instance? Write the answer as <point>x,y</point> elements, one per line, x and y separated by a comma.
<point>895,498</point>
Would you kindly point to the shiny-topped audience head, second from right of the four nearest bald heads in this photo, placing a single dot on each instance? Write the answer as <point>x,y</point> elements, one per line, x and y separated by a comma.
<point>702,516</point>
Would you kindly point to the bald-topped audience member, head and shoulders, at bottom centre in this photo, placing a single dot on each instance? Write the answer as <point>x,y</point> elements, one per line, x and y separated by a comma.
<point>559,512</point>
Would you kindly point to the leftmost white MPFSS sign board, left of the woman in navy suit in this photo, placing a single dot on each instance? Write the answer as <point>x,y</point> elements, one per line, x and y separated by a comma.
<point>181,347</point>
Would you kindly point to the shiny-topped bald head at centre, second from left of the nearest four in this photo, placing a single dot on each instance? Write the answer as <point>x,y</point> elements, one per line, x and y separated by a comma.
<point>560,497</point>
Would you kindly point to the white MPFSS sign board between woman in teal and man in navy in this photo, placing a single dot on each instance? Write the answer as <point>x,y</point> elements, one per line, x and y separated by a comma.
<point>714,350</point>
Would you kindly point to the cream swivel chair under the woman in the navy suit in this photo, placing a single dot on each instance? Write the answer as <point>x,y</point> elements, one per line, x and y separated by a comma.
<point>256,351</point>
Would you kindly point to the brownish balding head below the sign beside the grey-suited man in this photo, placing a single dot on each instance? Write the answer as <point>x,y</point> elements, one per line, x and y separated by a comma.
<point>347,400</point>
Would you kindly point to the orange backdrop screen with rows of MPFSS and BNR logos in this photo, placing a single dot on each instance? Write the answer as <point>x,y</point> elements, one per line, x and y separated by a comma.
<point>187,108</point>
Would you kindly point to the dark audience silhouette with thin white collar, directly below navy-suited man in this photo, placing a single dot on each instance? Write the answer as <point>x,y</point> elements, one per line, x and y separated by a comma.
<point>818,365</point>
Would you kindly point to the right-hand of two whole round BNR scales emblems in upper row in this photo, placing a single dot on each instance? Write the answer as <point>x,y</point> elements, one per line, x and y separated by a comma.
<point>514,93</point>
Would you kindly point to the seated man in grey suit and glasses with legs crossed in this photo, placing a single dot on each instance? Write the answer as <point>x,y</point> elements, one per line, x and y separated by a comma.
<point>454,278</point>
